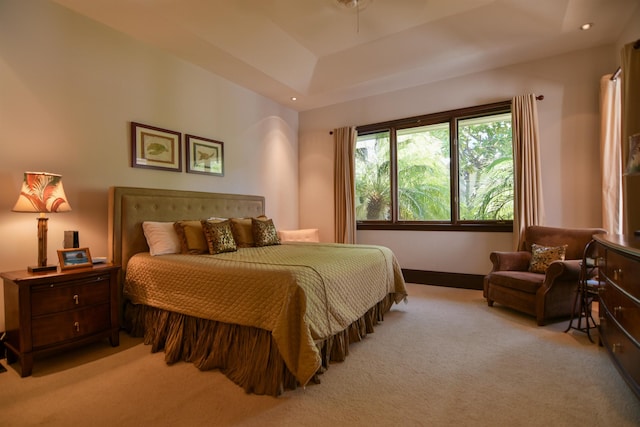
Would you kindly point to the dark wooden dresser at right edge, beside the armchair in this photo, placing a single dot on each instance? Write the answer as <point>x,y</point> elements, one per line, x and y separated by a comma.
<point>620,304</point>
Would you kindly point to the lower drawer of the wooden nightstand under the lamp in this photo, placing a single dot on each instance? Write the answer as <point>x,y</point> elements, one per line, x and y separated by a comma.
<point>56,328</point>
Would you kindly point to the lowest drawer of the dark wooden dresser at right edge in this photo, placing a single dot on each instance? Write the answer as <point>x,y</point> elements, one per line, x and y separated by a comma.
<point>623,350</point>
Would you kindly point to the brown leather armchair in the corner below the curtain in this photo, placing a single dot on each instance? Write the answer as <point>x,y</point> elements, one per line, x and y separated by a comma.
<point>548,295</point>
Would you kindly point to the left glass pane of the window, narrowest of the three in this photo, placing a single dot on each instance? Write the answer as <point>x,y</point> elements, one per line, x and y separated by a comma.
<point>373,177</point>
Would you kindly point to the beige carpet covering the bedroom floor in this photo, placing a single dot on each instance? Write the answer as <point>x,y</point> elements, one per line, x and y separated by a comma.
<point>445,358</point>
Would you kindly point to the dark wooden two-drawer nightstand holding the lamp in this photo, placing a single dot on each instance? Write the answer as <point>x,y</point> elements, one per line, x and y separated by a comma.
<point>53,311</point>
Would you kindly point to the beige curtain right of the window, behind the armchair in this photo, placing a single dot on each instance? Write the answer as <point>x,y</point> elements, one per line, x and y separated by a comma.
<point>528,205</point>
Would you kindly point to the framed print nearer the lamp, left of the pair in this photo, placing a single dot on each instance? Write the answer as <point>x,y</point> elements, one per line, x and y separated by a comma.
<point>155,148</point>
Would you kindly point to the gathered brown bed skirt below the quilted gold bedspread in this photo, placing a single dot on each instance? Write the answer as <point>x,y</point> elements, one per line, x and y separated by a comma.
<point>247,355</point>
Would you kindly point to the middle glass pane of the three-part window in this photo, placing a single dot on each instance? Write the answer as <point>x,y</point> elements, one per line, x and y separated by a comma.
<point>424,188</point>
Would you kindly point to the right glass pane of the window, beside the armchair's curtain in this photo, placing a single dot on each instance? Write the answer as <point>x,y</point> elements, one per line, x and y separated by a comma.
<point>485,168</point>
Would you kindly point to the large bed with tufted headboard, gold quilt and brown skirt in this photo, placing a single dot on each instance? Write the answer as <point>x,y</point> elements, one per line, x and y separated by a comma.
<point>271,317</point>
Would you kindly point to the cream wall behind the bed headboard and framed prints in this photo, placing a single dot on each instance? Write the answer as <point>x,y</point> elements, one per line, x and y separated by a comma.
<point>69,88</point>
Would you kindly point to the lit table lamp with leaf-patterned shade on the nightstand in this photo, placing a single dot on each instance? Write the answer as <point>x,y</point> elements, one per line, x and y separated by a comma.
<point>42,192</point>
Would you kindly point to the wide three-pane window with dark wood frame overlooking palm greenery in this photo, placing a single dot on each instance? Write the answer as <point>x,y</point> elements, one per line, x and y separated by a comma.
<point>451,170</point>
